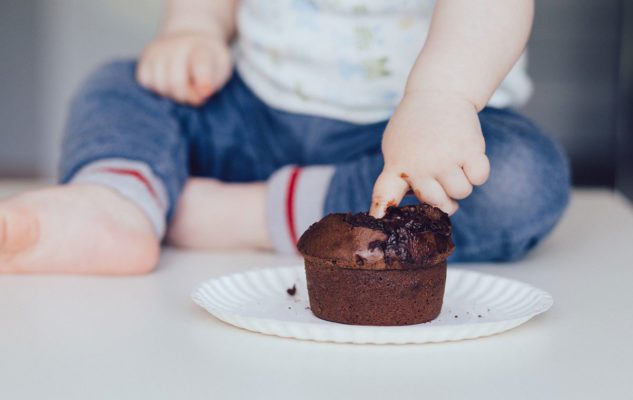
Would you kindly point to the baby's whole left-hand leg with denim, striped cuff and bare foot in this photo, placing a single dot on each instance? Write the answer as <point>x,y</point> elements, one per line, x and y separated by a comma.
<point>124,161</point>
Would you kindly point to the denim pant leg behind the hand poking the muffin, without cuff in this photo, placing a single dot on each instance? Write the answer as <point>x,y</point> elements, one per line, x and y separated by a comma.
<point>524,197</point>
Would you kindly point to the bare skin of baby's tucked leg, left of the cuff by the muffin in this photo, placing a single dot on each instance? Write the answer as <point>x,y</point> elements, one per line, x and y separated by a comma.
<point>214,215</point>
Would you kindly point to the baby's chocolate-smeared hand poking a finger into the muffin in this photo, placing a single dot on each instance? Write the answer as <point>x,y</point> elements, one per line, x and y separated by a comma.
<point>433,144</point>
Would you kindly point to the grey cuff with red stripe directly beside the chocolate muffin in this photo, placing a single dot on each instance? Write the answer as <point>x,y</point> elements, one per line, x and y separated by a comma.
<point>295,200</point>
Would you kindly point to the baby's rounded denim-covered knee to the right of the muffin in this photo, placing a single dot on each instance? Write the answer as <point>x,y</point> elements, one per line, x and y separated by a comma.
<point>528,191</point>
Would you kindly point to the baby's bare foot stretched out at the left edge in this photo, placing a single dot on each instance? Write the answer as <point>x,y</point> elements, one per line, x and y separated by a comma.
<point>79,229</point>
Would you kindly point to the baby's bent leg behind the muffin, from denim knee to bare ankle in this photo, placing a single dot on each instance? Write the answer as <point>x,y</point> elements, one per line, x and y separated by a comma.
<point>525,196</point>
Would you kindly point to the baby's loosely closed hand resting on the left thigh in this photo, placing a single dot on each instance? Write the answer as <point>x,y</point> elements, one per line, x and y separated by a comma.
<point>187,67</point>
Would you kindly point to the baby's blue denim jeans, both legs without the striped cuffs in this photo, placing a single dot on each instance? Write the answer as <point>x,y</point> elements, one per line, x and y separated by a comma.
<point>236,137</point>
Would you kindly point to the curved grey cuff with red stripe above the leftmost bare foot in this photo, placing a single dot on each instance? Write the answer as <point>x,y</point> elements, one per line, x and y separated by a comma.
<point>135,181</point>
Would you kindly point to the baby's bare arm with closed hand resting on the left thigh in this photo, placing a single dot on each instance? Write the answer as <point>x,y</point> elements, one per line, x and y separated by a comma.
<point>190,59</point>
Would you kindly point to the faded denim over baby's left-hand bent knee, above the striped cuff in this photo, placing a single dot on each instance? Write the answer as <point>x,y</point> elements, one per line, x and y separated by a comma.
<point>113,117</point>
